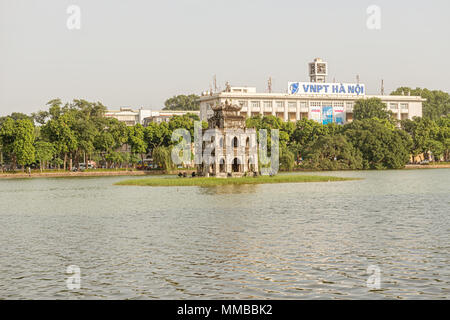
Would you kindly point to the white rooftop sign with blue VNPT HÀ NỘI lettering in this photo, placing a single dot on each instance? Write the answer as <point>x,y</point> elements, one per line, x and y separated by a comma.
<point>313,88</point>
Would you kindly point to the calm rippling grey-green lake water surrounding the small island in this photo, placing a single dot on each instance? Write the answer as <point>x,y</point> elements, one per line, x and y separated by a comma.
<point>280,241</point>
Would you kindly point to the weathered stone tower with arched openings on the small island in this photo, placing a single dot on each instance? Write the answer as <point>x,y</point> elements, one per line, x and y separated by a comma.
<point>228,148</point>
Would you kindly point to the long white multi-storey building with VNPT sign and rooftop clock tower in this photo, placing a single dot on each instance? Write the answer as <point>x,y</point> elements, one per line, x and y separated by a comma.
<point>317,100</point>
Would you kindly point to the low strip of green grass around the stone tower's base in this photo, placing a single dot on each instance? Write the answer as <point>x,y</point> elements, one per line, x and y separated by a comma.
<point>206,182</point>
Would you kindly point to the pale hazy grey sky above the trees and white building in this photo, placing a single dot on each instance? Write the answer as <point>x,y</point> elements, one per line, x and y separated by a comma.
<point>140,52</point>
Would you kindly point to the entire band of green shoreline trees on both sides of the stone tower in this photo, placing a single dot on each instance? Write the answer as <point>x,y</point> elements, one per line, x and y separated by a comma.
<point>65,135</point>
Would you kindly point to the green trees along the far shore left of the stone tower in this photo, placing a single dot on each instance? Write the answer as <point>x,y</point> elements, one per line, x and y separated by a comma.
<point>65,135</point>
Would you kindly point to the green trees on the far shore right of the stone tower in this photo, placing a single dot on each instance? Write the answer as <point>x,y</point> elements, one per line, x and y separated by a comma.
<point>374,140</point>
